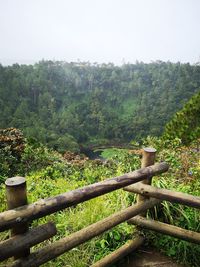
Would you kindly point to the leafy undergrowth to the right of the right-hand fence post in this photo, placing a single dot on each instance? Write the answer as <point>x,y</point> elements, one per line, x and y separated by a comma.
<point>183,176</point>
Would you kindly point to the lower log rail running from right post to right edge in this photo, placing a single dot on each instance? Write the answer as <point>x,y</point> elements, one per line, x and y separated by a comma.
<point>166,229</point>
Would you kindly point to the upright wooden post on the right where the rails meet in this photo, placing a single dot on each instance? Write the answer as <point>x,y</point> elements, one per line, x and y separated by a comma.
<point>148,159</point>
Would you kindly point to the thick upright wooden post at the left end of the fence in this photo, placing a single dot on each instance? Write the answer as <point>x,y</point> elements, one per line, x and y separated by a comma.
<point>16,197</point>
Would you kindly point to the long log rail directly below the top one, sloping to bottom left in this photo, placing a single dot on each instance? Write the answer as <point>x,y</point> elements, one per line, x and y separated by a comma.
<point>65,244</point>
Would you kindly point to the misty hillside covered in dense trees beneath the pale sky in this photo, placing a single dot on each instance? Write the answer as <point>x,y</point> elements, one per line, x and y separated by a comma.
<point>66,105</point>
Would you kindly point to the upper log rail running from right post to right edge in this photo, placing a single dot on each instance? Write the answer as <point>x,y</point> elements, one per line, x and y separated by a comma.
<point>165,194</point>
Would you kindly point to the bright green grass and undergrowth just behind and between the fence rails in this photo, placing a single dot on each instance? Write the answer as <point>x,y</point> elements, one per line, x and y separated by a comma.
<point>48,174</point>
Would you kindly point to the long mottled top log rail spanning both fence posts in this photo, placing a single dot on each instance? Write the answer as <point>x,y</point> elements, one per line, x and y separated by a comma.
<point>50,205</point>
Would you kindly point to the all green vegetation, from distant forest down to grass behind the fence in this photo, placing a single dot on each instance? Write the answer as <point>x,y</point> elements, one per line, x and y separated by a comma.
<point>51,110</point>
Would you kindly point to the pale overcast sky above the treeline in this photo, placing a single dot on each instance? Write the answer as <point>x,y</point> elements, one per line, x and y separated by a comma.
<point>115,31</point>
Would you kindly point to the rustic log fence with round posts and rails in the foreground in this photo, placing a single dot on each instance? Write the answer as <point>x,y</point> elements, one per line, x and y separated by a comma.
<point>20,214</point>
